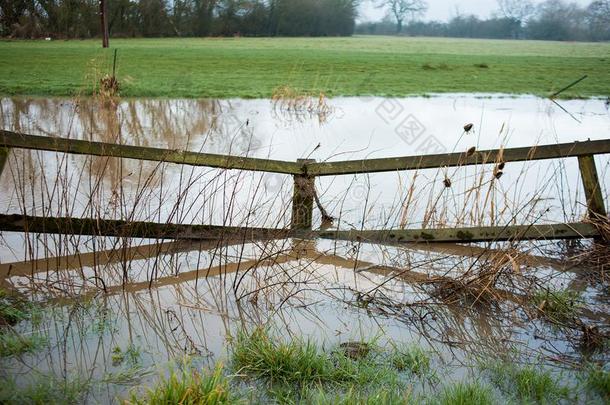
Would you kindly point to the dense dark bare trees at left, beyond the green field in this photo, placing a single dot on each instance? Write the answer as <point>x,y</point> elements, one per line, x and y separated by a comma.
<point>188,18</point>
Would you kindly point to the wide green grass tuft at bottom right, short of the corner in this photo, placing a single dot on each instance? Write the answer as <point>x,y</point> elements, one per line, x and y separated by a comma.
<point>528,384</point>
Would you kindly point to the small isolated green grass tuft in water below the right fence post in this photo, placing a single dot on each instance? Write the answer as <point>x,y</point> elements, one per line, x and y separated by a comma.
<point>559,305</point>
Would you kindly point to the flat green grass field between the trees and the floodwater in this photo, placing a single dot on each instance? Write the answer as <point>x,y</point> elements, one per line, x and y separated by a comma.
<point>253,67</point>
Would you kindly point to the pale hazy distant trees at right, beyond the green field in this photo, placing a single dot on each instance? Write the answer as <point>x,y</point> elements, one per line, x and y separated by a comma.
<point>515,19</point>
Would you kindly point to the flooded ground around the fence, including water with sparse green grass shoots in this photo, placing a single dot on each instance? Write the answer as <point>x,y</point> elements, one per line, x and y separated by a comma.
<point>112,315</point>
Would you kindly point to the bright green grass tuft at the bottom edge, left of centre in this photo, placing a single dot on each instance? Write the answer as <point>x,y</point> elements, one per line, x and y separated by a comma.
<point>186,387</point>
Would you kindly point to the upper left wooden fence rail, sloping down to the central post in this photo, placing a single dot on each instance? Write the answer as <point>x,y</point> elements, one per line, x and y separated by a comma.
<point>46,143</point>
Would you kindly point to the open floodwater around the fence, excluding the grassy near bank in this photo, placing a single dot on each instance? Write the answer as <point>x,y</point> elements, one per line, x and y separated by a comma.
<point>173,298</point>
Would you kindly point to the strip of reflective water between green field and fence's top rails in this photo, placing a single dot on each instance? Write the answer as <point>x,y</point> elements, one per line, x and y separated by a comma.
<point>360,127</point>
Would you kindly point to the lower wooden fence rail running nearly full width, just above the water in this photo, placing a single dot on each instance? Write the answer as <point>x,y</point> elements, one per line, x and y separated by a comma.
<point>150,230</point>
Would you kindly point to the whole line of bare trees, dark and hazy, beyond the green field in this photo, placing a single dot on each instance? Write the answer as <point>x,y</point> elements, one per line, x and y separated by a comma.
<point>514,19</point>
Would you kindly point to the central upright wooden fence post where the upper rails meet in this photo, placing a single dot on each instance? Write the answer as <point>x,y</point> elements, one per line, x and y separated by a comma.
<point>302,200</point>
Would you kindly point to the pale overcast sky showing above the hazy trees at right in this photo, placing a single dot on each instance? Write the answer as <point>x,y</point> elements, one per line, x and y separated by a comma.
<point>444,9</point>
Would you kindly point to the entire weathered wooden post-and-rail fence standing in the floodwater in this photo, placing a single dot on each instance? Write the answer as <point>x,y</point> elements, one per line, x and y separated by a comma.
<point>304,173</point>
